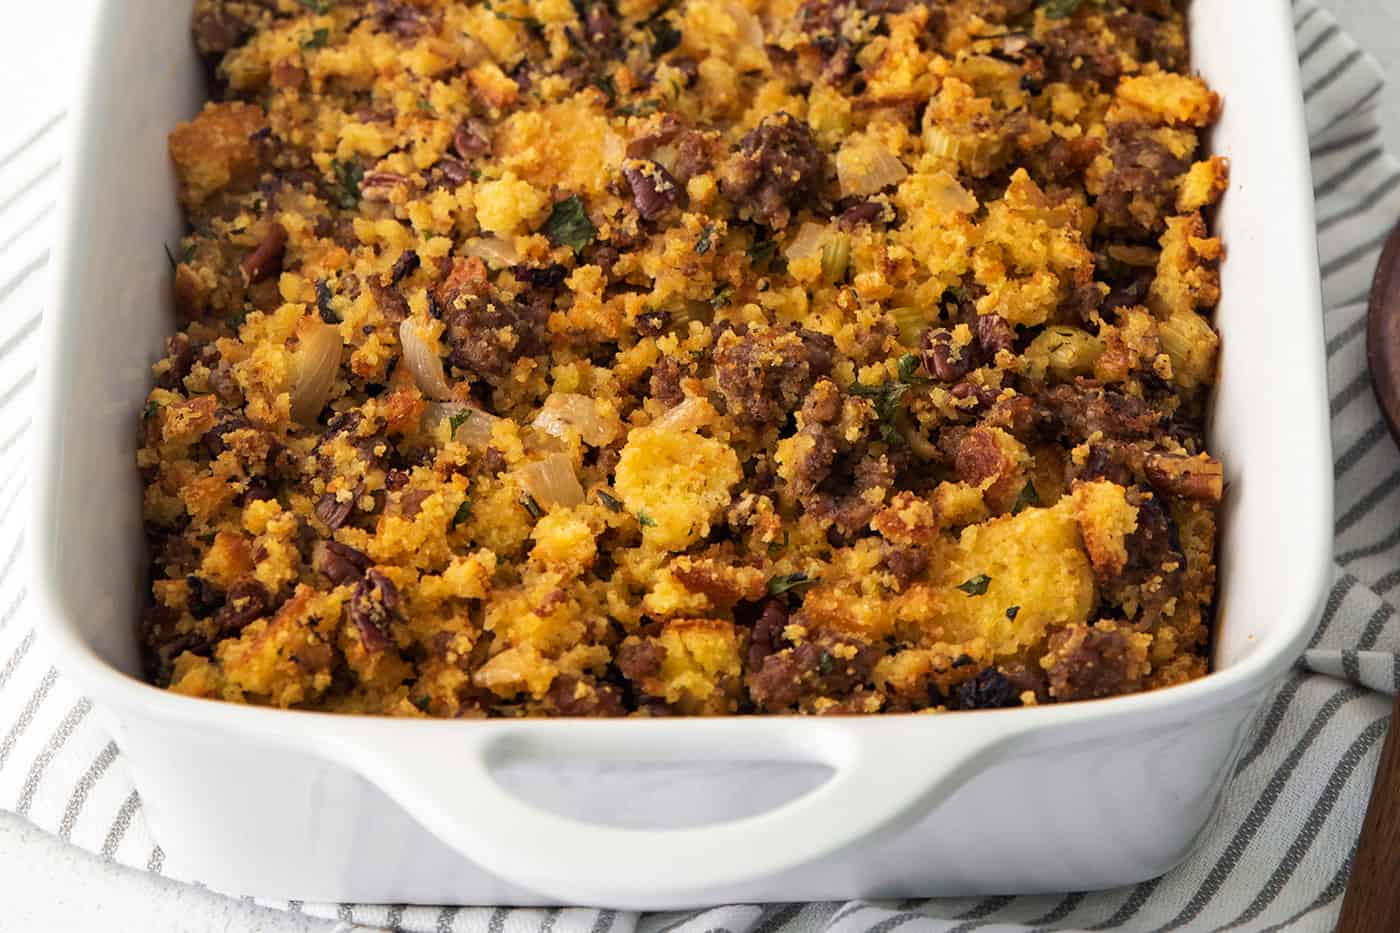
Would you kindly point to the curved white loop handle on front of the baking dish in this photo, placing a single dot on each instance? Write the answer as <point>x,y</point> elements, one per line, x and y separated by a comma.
<point>883,771</point>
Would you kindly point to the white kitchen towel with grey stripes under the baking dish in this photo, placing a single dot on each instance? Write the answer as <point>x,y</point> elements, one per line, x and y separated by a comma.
<point>1276,859</point>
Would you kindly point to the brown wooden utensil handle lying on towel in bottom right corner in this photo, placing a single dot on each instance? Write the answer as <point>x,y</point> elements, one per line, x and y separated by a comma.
<point>1373,904</point>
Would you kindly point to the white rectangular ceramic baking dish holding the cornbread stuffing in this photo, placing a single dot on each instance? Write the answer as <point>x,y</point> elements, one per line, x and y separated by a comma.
<point>666,815</point>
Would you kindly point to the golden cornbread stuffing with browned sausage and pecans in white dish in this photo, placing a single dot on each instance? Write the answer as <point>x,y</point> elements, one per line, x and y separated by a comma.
<point>687,358</point>
